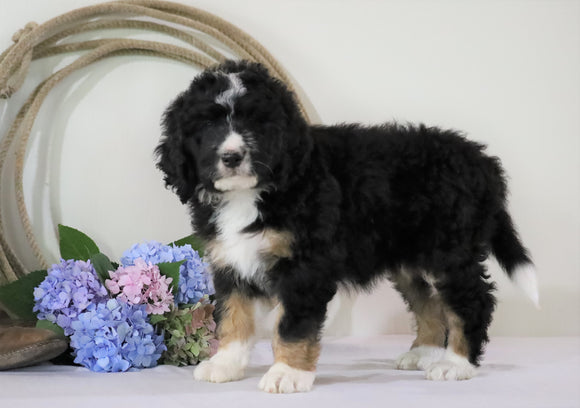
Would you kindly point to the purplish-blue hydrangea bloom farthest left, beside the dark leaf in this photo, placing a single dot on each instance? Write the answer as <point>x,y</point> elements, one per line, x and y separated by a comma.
<point>68,289</point>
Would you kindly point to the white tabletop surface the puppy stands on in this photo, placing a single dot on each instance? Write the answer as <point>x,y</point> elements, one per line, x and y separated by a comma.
<point>353,372</point>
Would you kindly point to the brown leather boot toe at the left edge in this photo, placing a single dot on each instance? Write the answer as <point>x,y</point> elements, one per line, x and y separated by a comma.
<point>25,346</point>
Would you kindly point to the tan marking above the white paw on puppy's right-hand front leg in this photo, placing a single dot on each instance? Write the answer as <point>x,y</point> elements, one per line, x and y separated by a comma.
<point>302,354</point>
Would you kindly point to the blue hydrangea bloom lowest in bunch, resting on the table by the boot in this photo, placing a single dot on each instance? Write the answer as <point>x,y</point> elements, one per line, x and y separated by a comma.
<point>114,336</point>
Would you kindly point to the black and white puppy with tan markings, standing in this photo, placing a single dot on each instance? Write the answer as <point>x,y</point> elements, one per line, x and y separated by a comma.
<point>290,212</point>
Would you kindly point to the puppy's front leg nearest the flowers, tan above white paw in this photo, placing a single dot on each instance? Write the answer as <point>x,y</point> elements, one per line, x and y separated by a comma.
<point>235,332</point>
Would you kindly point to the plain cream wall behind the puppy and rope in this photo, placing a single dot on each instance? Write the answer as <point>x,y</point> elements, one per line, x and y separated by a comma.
<point>506,72</point>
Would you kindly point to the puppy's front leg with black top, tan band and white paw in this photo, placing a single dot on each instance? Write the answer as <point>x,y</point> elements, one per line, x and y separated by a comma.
<point>296,349</point>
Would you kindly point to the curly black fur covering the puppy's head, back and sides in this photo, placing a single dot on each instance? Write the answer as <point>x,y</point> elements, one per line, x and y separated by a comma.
<point>361,202</point>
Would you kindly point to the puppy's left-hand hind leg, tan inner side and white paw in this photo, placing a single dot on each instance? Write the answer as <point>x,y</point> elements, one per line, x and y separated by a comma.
<point>425,303</point>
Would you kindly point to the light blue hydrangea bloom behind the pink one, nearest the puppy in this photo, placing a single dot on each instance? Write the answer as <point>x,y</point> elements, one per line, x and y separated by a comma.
<point>194,278</point>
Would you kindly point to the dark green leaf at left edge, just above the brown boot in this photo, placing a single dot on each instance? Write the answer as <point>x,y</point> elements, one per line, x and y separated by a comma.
<point>17,298</point>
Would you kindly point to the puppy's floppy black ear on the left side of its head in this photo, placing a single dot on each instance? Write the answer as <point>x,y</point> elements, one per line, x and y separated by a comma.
<point>174,159</point>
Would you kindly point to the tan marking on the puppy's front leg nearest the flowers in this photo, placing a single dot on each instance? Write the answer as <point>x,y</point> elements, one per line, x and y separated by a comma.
<point>237,322</point>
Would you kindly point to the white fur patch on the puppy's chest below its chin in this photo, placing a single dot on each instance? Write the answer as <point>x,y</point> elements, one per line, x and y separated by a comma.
<point>242,251</point>
